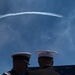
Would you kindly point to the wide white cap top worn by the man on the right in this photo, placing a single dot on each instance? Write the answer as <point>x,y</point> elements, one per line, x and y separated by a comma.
<point>46,53</point>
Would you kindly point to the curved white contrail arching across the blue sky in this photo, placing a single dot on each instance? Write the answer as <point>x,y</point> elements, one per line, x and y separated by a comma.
<point>39,13</point>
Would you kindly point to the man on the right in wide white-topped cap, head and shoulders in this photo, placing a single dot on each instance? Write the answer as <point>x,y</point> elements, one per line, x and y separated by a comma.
<point>45,60</point>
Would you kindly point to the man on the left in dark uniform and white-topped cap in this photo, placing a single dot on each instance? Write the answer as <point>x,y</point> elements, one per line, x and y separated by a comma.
<point>20,64</point>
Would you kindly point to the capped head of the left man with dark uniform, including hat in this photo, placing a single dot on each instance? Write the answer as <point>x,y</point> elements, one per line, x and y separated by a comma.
<point>21,61</point>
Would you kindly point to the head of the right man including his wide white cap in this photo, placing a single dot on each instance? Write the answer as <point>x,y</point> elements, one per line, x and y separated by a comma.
<point>45,58</point>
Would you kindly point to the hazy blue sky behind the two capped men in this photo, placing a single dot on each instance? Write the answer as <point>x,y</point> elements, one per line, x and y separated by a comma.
<point>37,32</point>
